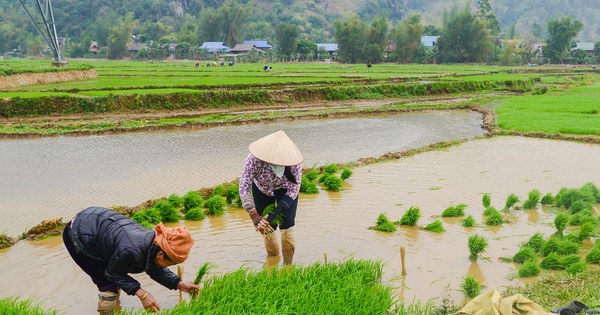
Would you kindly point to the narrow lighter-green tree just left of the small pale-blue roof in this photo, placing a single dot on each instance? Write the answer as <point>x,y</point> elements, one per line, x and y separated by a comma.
<point>407,37</point>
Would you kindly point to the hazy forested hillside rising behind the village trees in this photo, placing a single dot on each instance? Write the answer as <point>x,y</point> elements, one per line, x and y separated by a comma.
<point>315,18</point>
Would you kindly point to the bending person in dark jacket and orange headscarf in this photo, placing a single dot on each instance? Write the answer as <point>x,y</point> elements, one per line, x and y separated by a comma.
<point>109,246</point>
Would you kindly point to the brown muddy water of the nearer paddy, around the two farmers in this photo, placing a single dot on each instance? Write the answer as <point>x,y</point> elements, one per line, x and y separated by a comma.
<point>337,224</point>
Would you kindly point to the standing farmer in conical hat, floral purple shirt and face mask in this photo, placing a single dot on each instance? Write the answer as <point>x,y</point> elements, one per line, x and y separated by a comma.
<point>272,174</point>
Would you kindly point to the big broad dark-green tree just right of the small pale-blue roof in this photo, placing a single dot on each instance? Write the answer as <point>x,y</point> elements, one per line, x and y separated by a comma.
<point>466,38</point>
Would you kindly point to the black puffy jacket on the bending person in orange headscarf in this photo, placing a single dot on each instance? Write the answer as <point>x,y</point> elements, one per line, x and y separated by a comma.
<point>123,244</point>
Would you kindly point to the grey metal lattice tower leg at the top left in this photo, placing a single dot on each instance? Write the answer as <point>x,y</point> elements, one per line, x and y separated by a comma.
<point>46,18</point>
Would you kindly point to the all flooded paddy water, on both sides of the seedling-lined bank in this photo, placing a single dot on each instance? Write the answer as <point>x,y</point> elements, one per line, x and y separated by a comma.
<point>328,223</point>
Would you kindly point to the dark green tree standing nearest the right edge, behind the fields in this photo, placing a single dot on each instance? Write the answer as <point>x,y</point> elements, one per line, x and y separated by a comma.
<point>561,33</point>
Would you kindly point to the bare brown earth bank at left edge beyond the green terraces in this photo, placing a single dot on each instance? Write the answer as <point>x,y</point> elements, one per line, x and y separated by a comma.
<point>22,79</point>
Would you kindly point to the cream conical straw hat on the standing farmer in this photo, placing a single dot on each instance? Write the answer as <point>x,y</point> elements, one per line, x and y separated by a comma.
<point>276,148</point>
